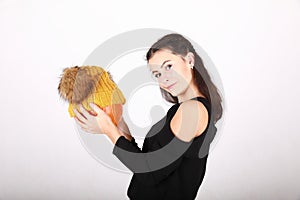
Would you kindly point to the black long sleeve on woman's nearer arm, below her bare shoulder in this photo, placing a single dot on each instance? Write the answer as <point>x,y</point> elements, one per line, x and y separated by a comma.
<point>150,167</point>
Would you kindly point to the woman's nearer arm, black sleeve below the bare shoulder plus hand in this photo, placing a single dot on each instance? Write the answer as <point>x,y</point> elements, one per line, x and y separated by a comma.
<point>150,167</point>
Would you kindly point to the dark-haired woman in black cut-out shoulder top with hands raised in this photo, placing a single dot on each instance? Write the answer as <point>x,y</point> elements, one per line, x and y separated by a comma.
<point>172,162</point>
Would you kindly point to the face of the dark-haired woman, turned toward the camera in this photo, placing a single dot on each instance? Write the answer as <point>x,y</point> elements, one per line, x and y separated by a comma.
<point>172,72</point>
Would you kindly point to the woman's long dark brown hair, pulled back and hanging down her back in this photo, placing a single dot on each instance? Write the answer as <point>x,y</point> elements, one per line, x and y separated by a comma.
<point>179,45</point>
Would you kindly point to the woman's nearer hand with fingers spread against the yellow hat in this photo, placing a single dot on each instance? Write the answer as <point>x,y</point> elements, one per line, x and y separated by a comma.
<point>99,122</point>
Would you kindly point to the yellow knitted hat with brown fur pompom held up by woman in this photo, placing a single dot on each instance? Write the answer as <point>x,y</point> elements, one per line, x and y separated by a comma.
<point>88,84</point>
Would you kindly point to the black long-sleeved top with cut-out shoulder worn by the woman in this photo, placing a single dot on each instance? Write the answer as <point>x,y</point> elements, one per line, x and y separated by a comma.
<point>166,167</point>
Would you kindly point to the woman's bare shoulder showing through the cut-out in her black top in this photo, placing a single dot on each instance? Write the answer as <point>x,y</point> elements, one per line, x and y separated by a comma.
<point>190,120</point>
